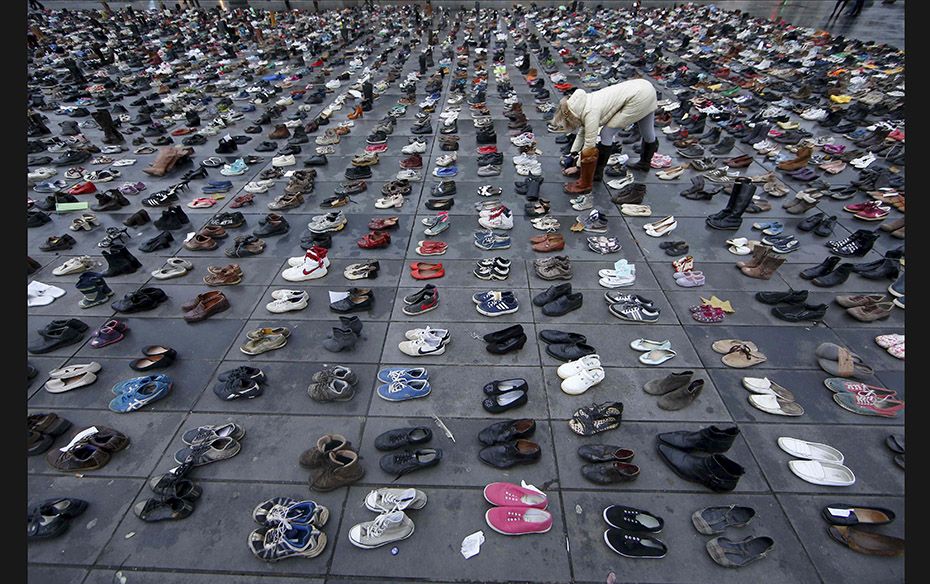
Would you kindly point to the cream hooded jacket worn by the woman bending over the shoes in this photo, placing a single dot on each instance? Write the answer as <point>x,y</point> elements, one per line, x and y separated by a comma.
<point>616,106</point>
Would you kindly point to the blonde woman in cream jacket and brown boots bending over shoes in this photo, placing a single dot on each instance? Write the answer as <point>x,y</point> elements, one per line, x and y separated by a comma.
<point>612,108</point>
